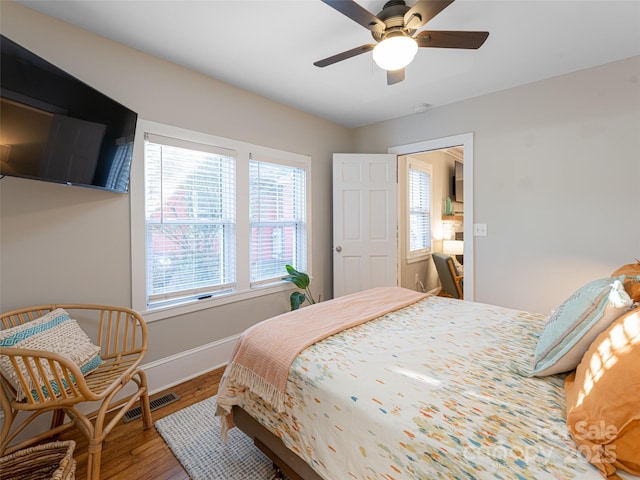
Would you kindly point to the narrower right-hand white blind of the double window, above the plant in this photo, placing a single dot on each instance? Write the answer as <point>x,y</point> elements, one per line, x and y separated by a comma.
<point>277,219</point>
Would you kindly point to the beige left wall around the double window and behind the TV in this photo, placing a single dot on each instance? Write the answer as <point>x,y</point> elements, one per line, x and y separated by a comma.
<point>68,244</point>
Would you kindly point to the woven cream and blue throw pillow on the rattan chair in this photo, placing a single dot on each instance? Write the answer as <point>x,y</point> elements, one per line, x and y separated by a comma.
<point>54,332</point>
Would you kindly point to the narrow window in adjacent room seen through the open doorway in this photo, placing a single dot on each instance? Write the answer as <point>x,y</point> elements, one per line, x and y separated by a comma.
<point>419,209</point>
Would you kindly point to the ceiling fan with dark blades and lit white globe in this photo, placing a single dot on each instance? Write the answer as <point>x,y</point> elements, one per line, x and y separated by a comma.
<point>394,31</point>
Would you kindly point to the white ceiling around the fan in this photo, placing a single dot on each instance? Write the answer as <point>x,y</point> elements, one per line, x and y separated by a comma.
<point>269,46</point>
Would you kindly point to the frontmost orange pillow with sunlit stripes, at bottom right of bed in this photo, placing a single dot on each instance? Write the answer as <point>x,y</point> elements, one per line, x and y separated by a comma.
<point>603,398</point>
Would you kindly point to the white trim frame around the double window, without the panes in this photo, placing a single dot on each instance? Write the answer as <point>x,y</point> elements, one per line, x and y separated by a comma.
<point>243,290</point>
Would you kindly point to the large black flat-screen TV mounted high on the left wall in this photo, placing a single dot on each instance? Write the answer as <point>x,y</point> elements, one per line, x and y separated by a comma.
<point>54,127</point>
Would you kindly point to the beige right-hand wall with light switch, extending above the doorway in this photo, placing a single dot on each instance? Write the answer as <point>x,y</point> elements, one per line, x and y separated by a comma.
<point>556,179</point>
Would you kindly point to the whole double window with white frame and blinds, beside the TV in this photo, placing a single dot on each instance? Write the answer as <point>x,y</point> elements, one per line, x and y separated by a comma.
<point>216,221</point>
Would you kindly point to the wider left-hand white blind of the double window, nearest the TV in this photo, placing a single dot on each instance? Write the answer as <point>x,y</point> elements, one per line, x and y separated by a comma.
<point>190,219</point>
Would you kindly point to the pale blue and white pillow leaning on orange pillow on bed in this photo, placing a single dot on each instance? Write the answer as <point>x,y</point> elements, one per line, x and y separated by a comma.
<point>577,322</point>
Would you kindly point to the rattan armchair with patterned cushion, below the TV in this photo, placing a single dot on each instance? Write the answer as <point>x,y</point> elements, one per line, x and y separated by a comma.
<point>49,364</point>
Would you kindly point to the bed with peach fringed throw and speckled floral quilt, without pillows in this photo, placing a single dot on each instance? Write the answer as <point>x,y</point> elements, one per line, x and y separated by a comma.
<point>413,387</point>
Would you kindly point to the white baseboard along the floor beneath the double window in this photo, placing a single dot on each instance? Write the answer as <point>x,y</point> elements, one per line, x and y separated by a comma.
<point>161,375</point>
